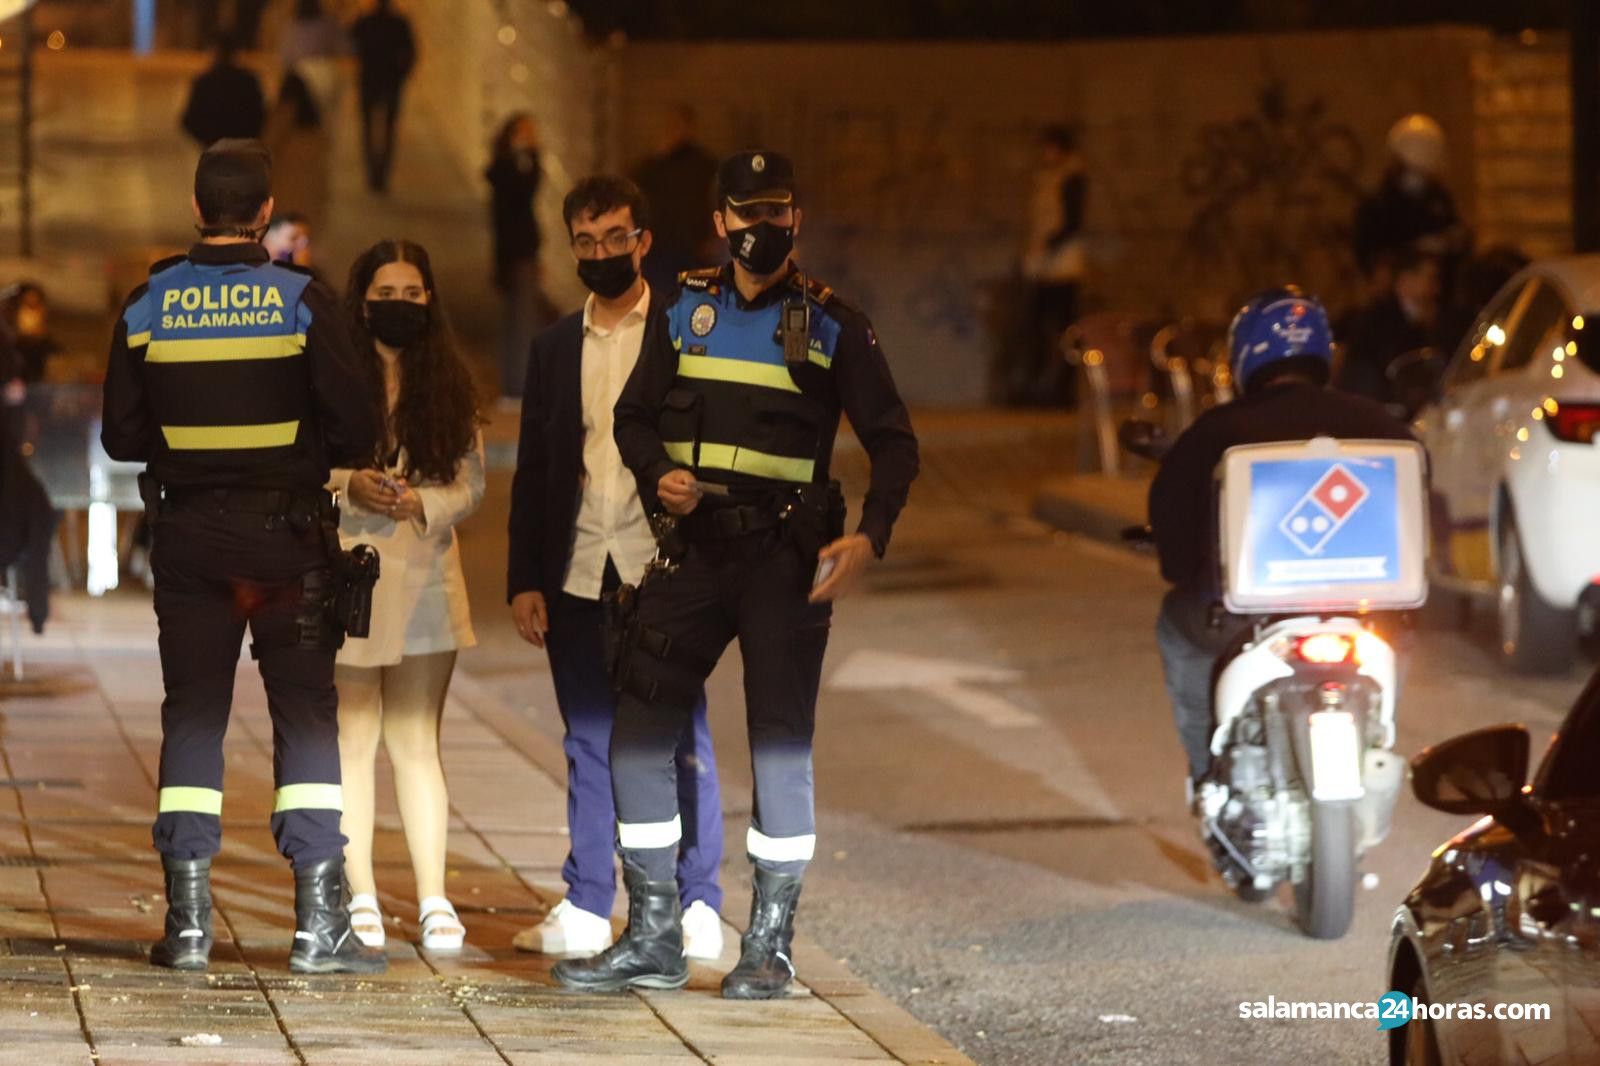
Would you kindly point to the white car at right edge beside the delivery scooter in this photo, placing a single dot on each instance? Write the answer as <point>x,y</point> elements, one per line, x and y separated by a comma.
<point>1516,473</point>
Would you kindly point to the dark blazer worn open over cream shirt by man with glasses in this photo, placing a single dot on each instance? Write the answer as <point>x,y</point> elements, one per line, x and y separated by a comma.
<point>550,462</point>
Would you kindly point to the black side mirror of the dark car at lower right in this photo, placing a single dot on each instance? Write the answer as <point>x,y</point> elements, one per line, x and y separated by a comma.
<point>1474,774</point>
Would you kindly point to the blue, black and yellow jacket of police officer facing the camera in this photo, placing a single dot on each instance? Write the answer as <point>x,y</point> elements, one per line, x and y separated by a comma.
<point>713,393</point>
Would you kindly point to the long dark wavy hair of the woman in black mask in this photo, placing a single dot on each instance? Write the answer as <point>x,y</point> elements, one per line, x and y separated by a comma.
<point>438,415</point>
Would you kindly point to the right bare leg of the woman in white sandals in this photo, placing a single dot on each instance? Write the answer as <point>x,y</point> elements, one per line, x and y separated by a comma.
<point>414,707</point>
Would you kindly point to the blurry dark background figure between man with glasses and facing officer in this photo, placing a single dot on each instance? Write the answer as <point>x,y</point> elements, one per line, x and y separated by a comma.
<point>679,186</point>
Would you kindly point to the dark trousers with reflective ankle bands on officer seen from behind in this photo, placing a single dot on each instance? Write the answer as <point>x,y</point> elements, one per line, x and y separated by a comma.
<point>218,572</point>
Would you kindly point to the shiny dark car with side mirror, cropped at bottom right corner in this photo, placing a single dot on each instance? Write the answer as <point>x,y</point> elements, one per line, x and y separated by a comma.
<point>1510,910</point>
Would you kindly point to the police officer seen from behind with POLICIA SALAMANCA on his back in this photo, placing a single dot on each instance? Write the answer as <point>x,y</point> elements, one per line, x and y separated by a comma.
<point>236,382</point>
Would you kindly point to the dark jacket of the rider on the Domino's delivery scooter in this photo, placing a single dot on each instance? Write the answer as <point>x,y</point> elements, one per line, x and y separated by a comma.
<point>1183,511</point>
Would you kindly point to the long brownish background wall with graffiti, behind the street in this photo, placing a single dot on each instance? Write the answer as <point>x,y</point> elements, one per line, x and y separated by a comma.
<point>1217,164</point>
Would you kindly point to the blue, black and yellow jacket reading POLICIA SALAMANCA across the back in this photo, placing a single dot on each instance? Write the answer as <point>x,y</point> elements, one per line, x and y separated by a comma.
<point>233,372</point>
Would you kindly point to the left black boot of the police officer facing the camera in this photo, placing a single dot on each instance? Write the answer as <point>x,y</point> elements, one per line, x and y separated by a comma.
<point>650,952</point>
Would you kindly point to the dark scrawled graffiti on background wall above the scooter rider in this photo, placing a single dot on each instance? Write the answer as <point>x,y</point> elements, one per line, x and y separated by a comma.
<point>1274,194</point>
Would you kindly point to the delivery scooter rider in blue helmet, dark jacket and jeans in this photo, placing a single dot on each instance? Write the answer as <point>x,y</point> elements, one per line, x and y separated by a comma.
<point>1281,353</point>
